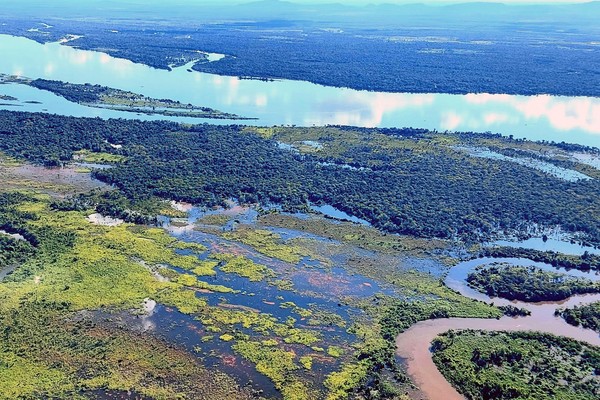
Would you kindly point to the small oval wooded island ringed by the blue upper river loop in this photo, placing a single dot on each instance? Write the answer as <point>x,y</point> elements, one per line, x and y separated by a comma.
<point>530,284</point>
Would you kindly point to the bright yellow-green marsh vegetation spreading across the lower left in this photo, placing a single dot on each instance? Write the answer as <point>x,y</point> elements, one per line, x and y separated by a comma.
<point>78,266</point>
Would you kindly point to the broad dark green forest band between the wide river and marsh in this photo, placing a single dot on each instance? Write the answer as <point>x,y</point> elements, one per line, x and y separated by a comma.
<point>407,184</point>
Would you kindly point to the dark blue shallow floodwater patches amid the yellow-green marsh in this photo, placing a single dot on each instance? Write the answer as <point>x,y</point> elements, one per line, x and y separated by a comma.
<point>315,287</point>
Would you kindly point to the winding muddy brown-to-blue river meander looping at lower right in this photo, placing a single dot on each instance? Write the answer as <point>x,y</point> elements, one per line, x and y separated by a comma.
<point>413,344</point>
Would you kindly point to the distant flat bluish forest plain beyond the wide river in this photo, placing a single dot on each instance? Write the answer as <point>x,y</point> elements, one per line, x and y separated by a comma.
<point>505,60</point>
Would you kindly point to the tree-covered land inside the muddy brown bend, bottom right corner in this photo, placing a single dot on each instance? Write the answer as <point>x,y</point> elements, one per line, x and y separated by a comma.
<point>518,365</point>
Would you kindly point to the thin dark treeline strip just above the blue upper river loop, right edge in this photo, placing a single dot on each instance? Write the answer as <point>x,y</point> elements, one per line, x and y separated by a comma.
<point>584,262</point>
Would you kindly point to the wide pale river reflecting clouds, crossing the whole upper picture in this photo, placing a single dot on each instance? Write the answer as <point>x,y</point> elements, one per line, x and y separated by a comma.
<point>572,119</point>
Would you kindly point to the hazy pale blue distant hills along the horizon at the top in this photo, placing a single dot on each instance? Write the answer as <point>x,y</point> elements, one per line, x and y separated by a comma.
<point>263,10</point>
